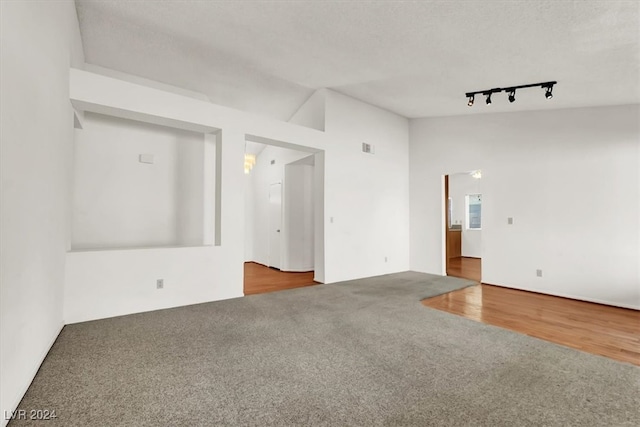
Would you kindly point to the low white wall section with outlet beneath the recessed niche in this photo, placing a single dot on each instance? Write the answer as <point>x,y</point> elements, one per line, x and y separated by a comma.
<point>191,275</point>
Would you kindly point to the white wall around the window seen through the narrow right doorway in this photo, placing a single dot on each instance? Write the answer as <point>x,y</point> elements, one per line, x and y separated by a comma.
<point>460,185</point>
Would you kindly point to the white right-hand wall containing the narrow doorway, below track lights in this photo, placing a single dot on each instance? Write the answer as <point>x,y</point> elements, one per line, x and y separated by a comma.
<point>569,178</point>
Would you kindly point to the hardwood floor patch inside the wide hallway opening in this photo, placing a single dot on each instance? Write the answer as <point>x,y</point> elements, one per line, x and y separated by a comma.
<point>259,279</point>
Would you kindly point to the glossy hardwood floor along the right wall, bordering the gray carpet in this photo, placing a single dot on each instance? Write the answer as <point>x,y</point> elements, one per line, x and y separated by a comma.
<point>599,329</point>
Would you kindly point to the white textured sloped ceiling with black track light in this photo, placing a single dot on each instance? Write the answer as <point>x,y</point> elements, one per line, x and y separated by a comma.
<point>414,58</point>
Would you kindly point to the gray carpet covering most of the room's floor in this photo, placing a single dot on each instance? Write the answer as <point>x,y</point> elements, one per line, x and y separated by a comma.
<point>358,353</point>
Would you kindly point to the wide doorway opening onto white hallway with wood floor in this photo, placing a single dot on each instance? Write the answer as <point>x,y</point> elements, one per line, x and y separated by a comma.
<point>284,216</point>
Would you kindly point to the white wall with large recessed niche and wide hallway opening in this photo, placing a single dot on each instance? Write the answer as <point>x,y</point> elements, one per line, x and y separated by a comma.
<point>368,196</point>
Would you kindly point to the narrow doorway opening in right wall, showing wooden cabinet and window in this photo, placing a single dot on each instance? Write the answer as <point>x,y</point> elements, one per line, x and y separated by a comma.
<point>463,225</point>
